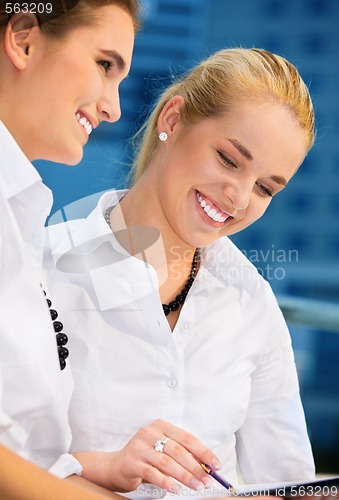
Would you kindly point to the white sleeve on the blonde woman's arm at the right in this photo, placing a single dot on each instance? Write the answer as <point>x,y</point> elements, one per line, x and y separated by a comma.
<point>273,444</point>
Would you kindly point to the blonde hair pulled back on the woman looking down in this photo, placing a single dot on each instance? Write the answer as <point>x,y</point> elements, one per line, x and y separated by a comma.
<point>224,79</point>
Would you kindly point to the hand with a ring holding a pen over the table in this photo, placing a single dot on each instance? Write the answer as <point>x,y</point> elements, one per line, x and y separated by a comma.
<point>139,462</point>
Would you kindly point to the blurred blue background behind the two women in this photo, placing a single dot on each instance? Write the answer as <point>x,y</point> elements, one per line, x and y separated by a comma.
<point>296,244</point>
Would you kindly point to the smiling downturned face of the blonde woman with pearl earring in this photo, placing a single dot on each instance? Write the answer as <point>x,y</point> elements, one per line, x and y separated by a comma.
<point>231,169</point>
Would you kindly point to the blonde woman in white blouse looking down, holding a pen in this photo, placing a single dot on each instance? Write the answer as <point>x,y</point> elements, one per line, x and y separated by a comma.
<point>173,322</point>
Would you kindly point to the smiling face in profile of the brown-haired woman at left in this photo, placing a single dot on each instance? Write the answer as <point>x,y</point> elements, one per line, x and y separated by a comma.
<point>38,59</point>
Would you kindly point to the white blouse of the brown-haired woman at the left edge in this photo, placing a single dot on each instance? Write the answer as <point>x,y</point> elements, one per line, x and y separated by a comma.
<point>34,393</point>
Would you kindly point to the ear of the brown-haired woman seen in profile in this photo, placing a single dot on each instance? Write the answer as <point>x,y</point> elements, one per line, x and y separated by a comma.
<point>18,38</point>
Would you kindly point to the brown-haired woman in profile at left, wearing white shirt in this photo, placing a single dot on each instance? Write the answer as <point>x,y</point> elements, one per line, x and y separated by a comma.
<point>61,64</point>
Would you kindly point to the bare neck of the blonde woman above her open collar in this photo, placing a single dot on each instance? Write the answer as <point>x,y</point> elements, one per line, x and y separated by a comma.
<point>175,261</point>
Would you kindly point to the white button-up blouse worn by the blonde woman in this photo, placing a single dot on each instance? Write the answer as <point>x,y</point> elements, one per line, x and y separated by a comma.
<point>225,374</point>
